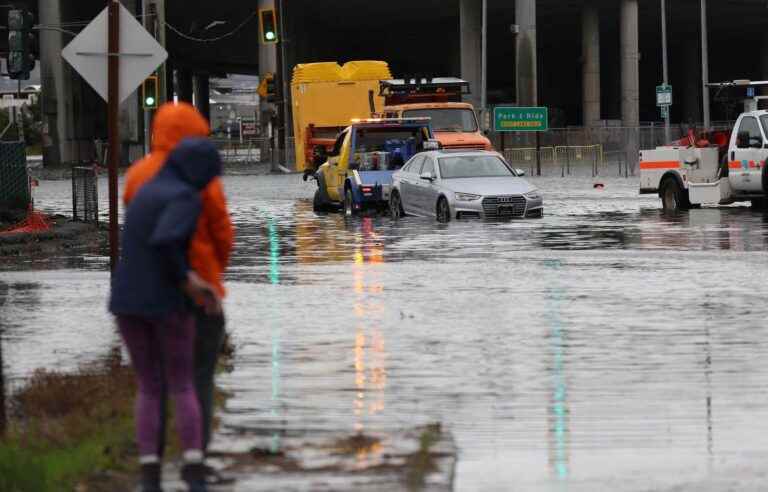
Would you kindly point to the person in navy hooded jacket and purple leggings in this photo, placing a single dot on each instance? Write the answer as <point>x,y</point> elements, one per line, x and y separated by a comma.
<point>151,292</point>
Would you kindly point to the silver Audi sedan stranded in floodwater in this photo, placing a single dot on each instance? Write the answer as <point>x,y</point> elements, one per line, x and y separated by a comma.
<point>448,184</point>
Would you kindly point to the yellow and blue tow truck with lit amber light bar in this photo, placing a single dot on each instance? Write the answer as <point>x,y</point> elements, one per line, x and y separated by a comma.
<point>358,173</point>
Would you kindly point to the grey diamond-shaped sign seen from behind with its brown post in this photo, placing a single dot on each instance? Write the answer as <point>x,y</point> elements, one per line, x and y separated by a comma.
<point>114,54</point>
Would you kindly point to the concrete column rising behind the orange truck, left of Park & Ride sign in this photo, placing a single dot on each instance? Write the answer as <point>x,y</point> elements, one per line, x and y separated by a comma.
<point>470,25</point>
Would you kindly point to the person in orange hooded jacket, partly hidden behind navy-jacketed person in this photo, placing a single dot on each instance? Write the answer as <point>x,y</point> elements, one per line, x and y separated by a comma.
<point>210,246</point>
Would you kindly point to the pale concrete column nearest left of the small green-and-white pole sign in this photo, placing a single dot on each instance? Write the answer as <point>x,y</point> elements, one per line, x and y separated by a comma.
<point>630,76</point>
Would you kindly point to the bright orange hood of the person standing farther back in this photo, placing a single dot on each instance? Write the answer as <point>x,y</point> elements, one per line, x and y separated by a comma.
<point>174,122</point>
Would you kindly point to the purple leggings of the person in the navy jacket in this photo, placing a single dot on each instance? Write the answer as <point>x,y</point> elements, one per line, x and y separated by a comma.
<point>158,345</point>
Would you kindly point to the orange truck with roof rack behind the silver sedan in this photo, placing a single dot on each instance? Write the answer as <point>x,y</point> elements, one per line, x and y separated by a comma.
<point>454,123</point>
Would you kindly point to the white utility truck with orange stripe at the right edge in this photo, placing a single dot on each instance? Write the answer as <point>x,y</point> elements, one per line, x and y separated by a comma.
<point>685,177</point>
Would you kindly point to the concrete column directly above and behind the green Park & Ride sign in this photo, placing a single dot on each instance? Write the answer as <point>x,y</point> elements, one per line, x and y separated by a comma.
<point>527,64</point>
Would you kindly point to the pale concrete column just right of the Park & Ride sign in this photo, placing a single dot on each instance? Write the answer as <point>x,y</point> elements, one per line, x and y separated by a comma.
<point>590,52</point>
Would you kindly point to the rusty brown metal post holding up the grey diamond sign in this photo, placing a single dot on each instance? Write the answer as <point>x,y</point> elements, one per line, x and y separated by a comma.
<point>113,96</point>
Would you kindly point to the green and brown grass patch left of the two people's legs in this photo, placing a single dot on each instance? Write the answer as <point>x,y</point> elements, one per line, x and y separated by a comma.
<point>66,427</point>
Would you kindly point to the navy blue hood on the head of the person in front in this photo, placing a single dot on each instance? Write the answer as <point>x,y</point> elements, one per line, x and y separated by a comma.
<point>196,161</point>
